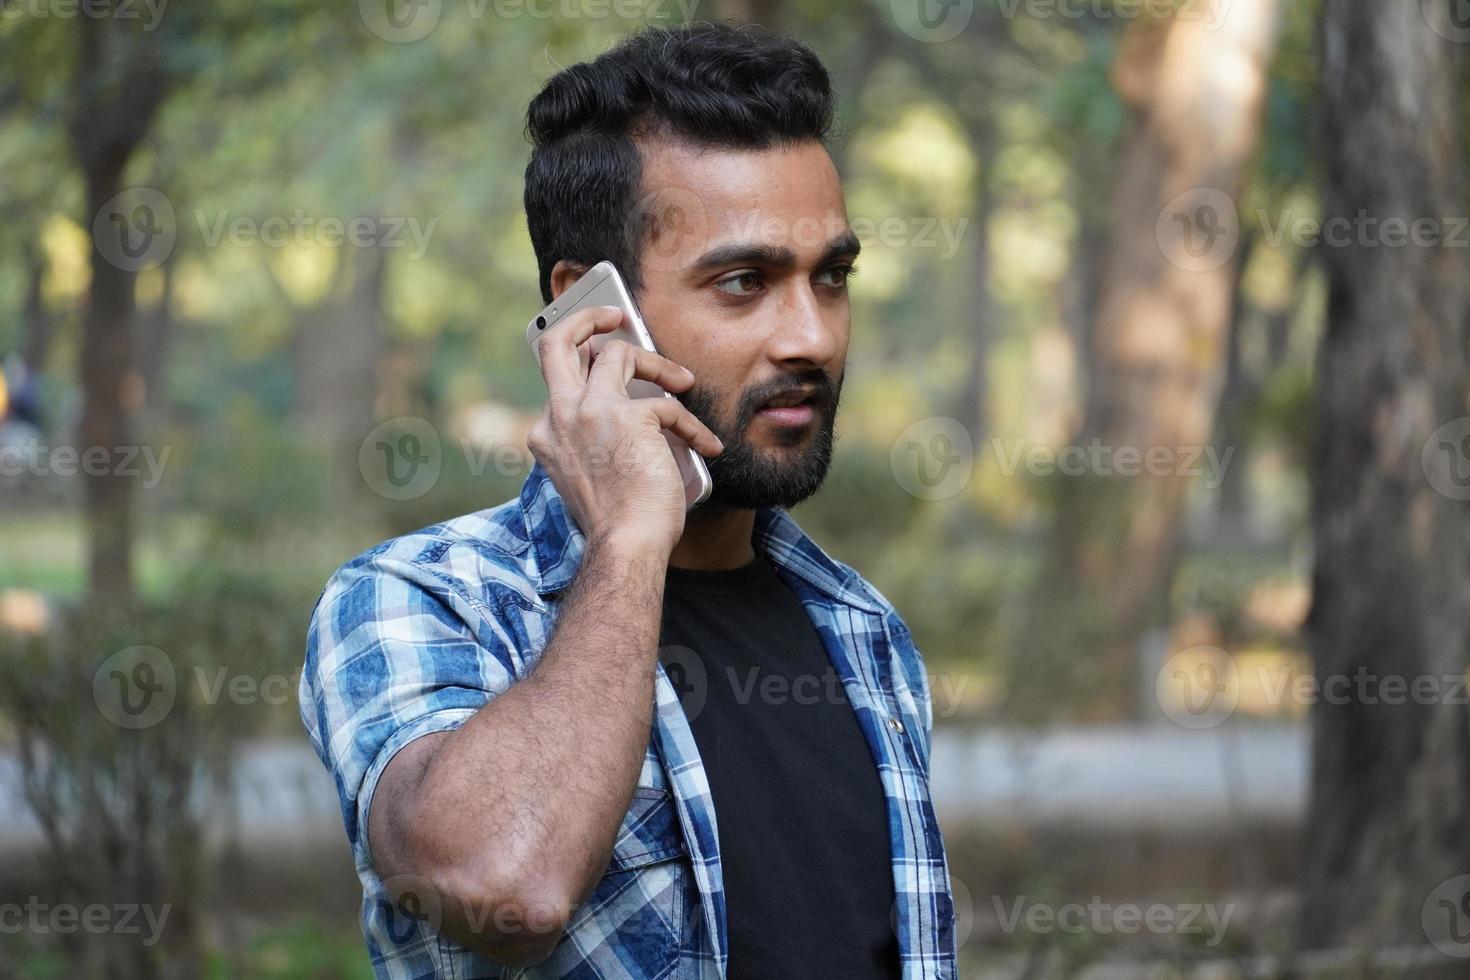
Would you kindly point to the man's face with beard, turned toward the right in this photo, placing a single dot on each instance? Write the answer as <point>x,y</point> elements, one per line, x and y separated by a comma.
<point>745,283</point>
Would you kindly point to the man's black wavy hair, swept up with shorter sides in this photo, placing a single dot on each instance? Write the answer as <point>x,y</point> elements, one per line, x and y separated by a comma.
<point>709,84</point>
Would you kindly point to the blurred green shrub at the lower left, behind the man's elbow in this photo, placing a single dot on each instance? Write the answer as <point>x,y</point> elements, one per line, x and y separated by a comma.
<point>126,724</point>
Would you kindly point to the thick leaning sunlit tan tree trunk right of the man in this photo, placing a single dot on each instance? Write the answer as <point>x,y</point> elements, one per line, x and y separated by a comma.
<point>1158,349</point>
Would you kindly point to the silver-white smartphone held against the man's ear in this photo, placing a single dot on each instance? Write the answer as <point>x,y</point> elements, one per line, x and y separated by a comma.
<point>603,286</point>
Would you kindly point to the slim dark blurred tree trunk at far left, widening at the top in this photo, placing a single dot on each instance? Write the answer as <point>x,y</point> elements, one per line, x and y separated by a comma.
<point>117,90</point>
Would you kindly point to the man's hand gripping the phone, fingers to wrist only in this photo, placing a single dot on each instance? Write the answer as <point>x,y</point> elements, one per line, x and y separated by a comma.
<point>605,452</point>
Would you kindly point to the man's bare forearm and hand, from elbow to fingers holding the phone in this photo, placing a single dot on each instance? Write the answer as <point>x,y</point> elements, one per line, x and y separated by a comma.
<point>512,816</point>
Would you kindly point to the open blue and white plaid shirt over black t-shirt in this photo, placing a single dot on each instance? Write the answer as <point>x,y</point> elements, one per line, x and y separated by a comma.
<point>418,634</point>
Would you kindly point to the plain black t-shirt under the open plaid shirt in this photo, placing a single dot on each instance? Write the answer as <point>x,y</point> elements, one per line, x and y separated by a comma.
<point>799,806</point>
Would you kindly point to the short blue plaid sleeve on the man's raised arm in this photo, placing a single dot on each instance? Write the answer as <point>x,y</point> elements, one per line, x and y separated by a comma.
<point>395,652</point>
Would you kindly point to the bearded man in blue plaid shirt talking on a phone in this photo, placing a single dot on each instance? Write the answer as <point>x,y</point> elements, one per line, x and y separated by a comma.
<point>523,782</point>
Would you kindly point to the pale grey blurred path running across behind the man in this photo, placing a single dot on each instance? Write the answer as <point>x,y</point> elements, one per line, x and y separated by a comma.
<point>1093,778</point>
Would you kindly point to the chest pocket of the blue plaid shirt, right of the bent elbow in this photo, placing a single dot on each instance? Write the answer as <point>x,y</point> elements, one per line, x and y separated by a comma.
<point>636,916</point>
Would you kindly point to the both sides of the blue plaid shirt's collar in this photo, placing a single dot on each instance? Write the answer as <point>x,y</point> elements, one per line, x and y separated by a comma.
<point>558,544</point>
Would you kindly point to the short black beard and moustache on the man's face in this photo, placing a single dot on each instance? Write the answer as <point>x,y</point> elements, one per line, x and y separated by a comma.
<point>784,475</point>
